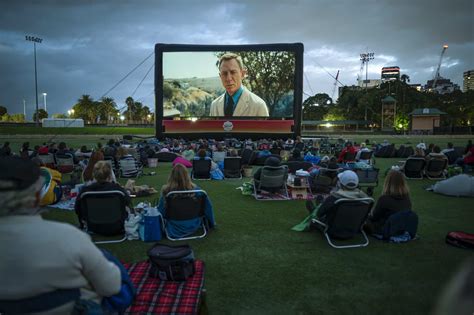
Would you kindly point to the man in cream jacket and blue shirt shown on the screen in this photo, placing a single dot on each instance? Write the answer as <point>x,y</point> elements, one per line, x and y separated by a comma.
<point>237,100</point>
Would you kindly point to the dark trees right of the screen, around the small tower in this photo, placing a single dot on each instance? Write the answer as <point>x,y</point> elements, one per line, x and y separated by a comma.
<point>358,104</point>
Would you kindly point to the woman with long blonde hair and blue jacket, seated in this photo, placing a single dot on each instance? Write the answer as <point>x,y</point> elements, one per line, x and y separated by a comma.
<point>179,180</point>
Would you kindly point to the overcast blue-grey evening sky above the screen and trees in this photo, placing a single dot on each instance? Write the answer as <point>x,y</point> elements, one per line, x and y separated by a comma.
<point>88,46</point>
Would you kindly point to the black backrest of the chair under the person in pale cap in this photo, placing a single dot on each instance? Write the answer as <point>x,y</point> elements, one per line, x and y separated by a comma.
<point>348,217</point>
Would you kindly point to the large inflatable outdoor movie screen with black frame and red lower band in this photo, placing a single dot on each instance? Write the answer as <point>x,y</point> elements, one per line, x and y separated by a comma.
<point>228,90</point>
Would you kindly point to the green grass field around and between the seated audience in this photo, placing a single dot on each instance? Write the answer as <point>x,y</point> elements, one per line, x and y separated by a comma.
<point>256,265</point>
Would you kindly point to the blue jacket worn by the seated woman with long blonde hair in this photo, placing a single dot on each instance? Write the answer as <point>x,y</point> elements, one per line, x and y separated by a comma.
<point>178,229</point>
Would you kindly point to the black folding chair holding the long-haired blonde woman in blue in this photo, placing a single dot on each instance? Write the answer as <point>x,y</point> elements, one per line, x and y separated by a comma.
<point>183,206</point>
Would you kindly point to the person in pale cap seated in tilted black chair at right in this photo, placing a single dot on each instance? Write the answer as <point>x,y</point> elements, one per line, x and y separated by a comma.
<point>347,187</point>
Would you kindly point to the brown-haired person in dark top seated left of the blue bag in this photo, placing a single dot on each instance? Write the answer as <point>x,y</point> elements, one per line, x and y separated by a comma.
<point>102,173</point>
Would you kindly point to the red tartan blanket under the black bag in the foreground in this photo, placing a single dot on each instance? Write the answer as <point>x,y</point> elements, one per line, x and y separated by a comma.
<point>155,296</point>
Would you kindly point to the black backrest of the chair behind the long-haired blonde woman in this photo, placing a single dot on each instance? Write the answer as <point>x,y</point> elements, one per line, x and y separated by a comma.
<point>185,205</point>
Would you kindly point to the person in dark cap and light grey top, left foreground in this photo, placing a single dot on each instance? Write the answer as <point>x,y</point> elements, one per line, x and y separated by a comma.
<point>41,258</point>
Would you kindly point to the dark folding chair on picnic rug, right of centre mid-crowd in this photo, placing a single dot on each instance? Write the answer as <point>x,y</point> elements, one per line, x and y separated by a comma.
<point>271,178</point>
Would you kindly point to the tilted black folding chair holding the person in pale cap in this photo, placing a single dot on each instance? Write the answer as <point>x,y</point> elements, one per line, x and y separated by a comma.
<point>347,221</point>
